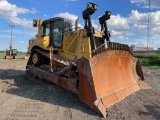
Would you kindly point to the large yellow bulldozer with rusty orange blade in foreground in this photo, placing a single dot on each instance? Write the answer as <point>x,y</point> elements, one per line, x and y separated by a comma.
<point>84,61</point>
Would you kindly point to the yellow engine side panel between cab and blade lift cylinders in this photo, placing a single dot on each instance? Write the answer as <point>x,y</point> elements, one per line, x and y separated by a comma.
<point>76,45</point>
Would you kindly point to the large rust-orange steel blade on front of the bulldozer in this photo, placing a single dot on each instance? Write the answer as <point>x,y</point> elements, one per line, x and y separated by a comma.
<point>108,78</point>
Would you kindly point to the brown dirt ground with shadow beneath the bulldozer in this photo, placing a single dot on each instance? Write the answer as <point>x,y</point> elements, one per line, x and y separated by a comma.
<point>23,98</point>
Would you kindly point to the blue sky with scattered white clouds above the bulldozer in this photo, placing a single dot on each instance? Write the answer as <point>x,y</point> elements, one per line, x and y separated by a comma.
<point>128,23</point>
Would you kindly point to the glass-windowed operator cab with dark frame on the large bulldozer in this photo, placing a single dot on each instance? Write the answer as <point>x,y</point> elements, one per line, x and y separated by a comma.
<point>55,27</point>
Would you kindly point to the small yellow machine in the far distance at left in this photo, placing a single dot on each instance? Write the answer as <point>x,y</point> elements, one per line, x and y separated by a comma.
<point>11,53</point>
